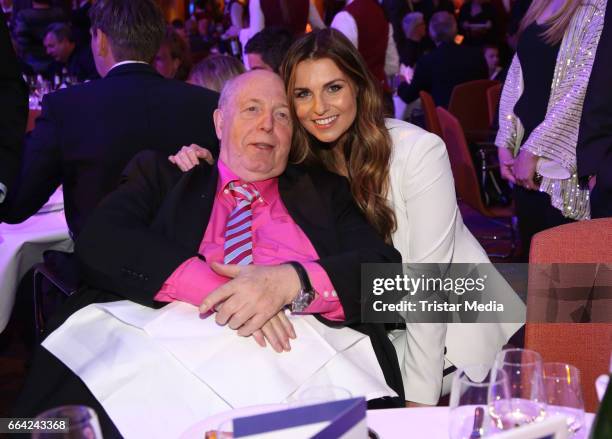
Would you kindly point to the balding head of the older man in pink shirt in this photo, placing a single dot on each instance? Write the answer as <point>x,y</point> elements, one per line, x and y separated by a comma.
<point>253,124</point>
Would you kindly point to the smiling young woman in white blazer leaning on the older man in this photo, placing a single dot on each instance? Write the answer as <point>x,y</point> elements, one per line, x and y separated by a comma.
<point>401,179</point>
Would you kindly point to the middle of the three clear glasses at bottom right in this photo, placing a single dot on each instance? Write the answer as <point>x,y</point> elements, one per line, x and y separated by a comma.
<point>527,401</point>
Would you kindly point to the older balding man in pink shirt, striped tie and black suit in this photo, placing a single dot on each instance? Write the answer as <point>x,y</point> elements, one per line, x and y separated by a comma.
<point>245,237</point>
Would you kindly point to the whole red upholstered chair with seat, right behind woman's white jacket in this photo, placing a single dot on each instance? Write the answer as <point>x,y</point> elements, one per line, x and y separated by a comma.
<point>466,179</point>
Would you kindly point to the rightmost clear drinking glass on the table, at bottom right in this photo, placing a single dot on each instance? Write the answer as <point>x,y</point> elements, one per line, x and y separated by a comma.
<point>563,394</point>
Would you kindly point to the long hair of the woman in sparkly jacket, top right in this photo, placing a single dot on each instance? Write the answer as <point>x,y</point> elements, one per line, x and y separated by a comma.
<point>556,25</point>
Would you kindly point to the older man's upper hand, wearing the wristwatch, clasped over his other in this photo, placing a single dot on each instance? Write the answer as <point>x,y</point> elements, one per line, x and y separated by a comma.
<point>253,296</point>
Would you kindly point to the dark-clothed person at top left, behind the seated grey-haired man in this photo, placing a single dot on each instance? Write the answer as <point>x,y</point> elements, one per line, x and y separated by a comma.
<point>30,28</point>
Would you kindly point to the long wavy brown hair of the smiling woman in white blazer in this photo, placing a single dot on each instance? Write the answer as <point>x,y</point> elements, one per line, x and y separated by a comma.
<point>364,150</point>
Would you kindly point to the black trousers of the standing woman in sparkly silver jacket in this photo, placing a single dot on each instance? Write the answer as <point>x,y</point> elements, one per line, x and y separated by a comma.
<point>535,213</point>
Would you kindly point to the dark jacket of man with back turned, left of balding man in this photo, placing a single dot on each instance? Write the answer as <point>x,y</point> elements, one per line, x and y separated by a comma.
<point>87,134</point>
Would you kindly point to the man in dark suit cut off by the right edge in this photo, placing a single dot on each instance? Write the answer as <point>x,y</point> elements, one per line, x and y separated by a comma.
<point>594,149</point>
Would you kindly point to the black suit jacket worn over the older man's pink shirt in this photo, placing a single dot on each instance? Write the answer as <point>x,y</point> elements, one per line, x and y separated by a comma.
<point>157,217</point>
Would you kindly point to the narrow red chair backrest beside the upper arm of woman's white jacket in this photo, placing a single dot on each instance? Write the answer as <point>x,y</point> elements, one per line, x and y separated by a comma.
<point>462,165</point>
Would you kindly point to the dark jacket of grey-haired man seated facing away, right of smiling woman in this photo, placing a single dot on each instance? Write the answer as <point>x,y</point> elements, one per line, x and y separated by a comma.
<point>440,70</point>
